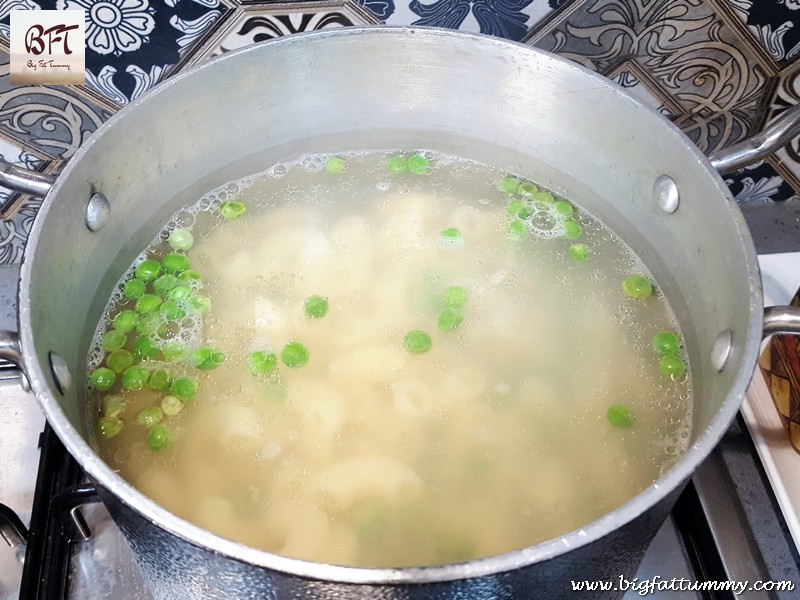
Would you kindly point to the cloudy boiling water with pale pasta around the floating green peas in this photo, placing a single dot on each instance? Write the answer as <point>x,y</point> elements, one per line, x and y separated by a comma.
<point>495,439</point>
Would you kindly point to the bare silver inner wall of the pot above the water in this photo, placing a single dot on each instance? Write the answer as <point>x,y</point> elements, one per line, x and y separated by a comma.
<point>476,97</point>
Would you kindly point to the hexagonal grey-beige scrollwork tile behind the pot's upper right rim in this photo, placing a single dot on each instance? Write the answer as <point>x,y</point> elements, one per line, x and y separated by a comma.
<point>688,48</point>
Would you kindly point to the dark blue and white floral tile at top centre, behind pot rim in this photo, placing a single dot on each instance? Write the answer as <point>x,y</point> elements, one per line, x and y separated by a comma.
<point>509,19</point>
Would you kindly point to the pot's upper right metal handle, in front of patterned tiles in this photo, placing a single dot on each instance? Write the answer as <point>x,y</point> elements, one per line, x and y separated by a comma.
<point>773,137</point>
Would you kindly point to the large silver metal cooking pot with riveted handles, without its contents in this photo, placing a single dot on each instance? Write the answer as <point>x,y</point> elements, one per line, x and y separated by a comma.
<point>474,96</point>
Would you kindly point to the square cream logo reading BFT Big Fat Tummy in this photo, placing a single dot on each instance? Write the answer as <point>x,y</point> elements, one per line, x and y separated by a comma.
<point>47,46</point>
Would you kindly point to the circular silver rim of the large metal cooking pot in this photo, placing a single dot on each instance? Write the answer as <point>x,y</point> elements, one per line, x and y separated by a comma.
<point>669,481</point>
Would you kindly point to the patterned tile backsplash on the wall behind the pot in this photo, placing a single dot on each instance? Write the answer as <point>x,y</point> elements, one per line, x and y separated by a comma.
<point>720,69</point>
